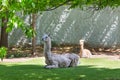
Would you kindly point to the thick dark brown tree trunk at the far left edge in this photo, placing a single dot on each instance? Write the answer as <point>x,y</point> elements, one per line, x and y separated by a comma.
<point>4,34</point>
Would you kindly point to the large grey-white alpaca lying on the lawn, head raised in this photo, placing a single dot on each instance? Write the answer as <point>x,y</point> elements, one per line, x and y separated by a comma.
<point>58,60</point>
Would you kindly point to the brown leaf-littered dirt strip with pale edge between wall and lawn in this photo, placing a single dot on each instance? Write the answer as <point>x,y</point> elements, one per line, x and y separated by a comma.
<point>25,51</point>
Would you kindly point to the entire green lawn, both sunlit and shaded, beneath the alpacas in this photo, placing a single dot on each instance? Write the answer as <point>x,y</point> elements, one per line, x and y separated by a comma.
<point>89,69</point>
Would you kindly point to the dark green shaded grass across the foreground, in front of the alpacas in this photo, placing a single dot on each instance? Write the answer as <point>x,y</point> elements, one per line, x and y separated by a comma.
<point>37,72</point>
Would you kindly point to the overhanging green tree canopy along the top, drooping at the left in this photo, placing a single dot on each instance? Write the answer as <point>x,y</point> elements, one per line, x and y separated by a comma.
<point>35,6</point>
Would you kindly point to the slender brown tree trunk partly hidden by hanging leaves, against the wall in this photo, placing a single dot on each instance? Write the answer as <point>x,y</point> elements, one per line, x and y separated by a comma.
<point>33,24</point>
